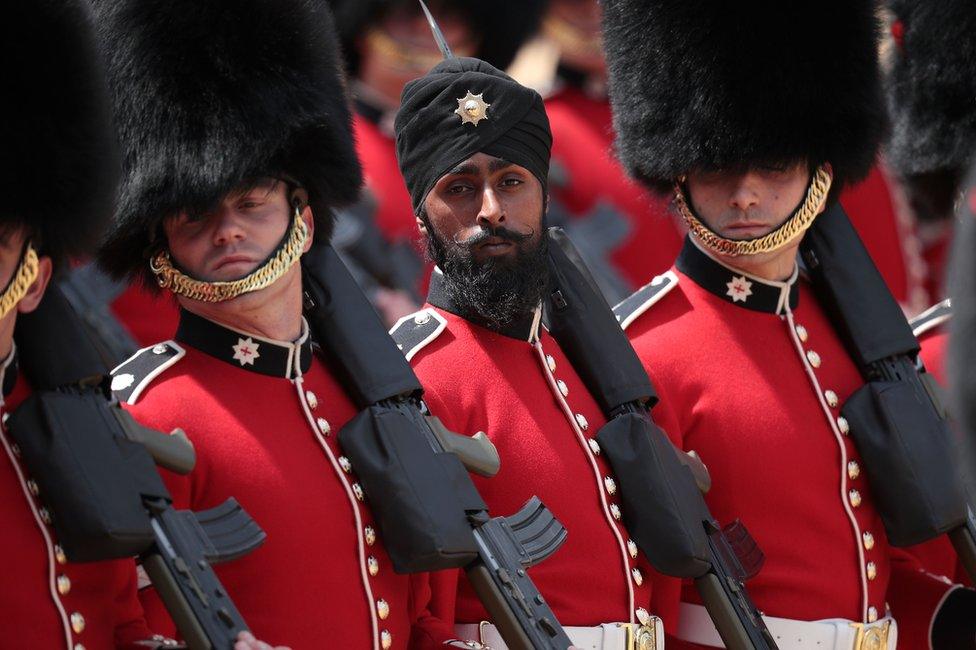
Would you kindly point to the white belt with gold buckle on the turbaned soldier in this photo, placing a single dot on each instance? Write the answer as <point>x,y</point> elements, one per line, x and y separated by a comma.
<point>609,636</point>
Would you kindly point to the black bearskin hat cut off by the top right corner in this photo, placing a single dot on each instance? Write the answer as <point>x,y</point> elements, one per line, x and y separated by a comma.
<point>932,86</point>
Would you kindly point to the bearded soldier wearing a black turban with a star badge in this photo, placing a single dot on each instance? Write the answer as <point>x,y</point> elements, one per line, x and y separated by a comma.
<point>474,148</point>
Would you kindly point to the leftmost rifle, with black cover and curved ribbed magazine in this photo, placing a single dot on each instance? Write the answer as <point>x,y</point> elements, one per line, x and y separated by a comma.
<point>96,468</point>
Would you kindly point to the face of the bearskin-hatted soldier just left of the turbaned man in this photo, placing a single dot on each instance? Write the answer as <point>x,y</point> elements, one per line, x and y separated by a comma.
<point>236,237</point>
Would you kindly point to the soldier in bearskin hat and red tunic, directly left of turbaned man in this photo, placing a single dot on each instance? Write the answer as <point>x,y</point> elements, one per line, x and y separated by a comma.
<point>237,144</point>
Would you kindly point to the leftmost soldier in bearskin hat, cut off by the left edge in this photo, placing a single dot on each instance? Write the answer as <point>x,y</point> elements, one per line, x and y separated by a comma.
<point>59,174</point>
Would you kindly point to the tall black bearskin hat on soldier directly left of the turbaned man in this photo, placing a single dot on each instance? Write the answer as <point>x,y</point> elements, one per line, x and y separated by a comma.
<point>210,94</point>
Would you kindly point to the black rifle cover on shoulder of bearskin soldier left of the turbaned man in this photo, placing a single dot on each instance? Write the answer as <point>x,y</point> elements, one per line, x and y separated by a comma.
<point>420,498</point>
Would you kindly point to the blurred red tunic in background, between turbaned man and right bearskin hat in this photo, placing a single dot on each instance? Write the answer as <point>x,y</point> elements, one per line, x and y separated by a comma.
<point>597,187</point>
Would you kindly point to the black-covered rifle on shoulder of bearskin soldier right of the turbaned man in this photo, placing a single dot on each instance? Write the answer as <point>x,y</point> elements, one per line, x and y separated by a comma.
<point>896,419</point>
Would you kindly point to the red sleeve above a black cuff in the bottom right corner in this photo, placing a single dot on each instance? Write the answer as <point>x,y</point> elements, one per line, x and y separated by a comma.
<point>915,597</point>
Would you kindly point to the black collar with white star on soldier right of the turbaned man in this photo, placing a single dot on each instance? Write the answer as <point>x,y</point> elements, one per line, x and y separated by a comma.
<point>734,286</point>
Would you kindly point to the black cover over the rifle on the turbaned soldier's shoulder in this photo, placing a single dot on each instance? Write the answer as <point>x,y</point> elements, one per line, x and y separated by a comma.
<point>662,506</point>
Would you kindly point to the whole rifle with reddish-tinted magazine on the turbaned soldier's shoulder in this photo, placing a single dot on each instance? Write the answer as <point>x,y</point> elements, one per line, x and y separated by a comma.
<point>661,497</point>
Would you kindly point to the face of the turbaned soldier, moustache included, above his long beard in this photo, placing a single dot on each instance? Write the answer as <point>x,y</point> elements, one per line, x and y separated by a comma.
<point>487,206</point>
